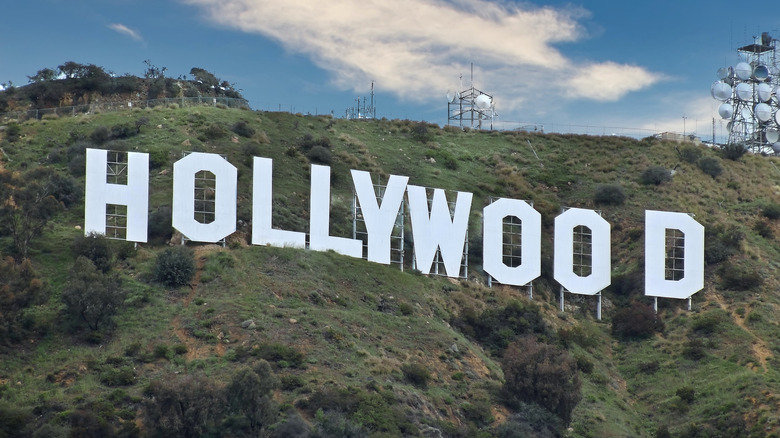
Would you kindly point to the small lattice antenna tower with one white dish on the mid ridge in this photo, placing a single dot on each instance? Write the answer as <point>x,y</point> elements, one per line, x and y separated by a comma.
<point>470,106</point>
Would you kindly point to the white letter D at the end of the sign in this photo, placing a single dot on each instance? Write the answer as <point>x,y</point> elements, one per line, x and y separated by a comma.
<point>656,284</point>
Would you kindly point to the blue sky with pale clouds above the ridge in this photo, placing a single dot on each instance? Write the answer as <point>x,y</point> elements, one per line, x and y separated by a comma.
<point>583,67</point>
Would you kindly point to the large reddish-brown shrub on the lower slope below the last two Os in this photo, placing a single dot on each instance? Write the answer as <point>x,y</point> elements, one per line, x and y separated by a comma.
<point>540,373</point>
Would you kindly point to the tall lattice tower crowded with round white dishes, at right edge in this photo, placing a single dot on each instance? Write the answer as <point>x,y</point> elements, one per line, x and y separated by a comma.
<point>749,92</point>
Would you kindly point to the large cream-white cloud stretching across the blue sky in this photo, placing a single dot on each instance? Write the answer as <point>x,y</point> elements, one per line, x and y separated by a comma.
<point>417,48</point>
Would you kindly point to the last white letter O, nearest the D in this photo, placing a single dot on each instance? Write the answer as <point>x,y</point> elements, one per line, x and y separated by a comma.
<point>563,264</point>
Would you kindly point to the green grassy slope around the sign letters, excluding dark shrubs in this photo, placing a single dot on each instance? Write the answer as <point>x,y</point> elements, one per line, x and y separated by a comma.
<point>348,323</point>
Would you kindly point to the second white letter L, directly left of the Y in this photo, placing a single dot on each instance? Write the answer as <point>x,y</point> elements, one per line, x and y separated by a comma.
<point>319,233</point>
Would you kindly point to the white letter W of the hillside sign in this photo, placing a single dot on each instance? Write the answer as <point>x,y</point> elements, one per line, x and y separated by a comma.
<point>438,229</point>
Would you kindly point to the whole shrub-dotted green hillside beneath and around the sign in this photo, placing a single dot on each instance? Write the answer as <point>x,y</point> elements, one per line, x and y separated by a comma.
<point>288,342</point>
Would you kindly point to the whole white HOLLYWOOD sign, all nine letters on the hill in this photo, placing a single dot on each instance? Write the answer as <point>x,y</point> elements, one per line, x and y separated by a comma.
<point>434,228</point>
